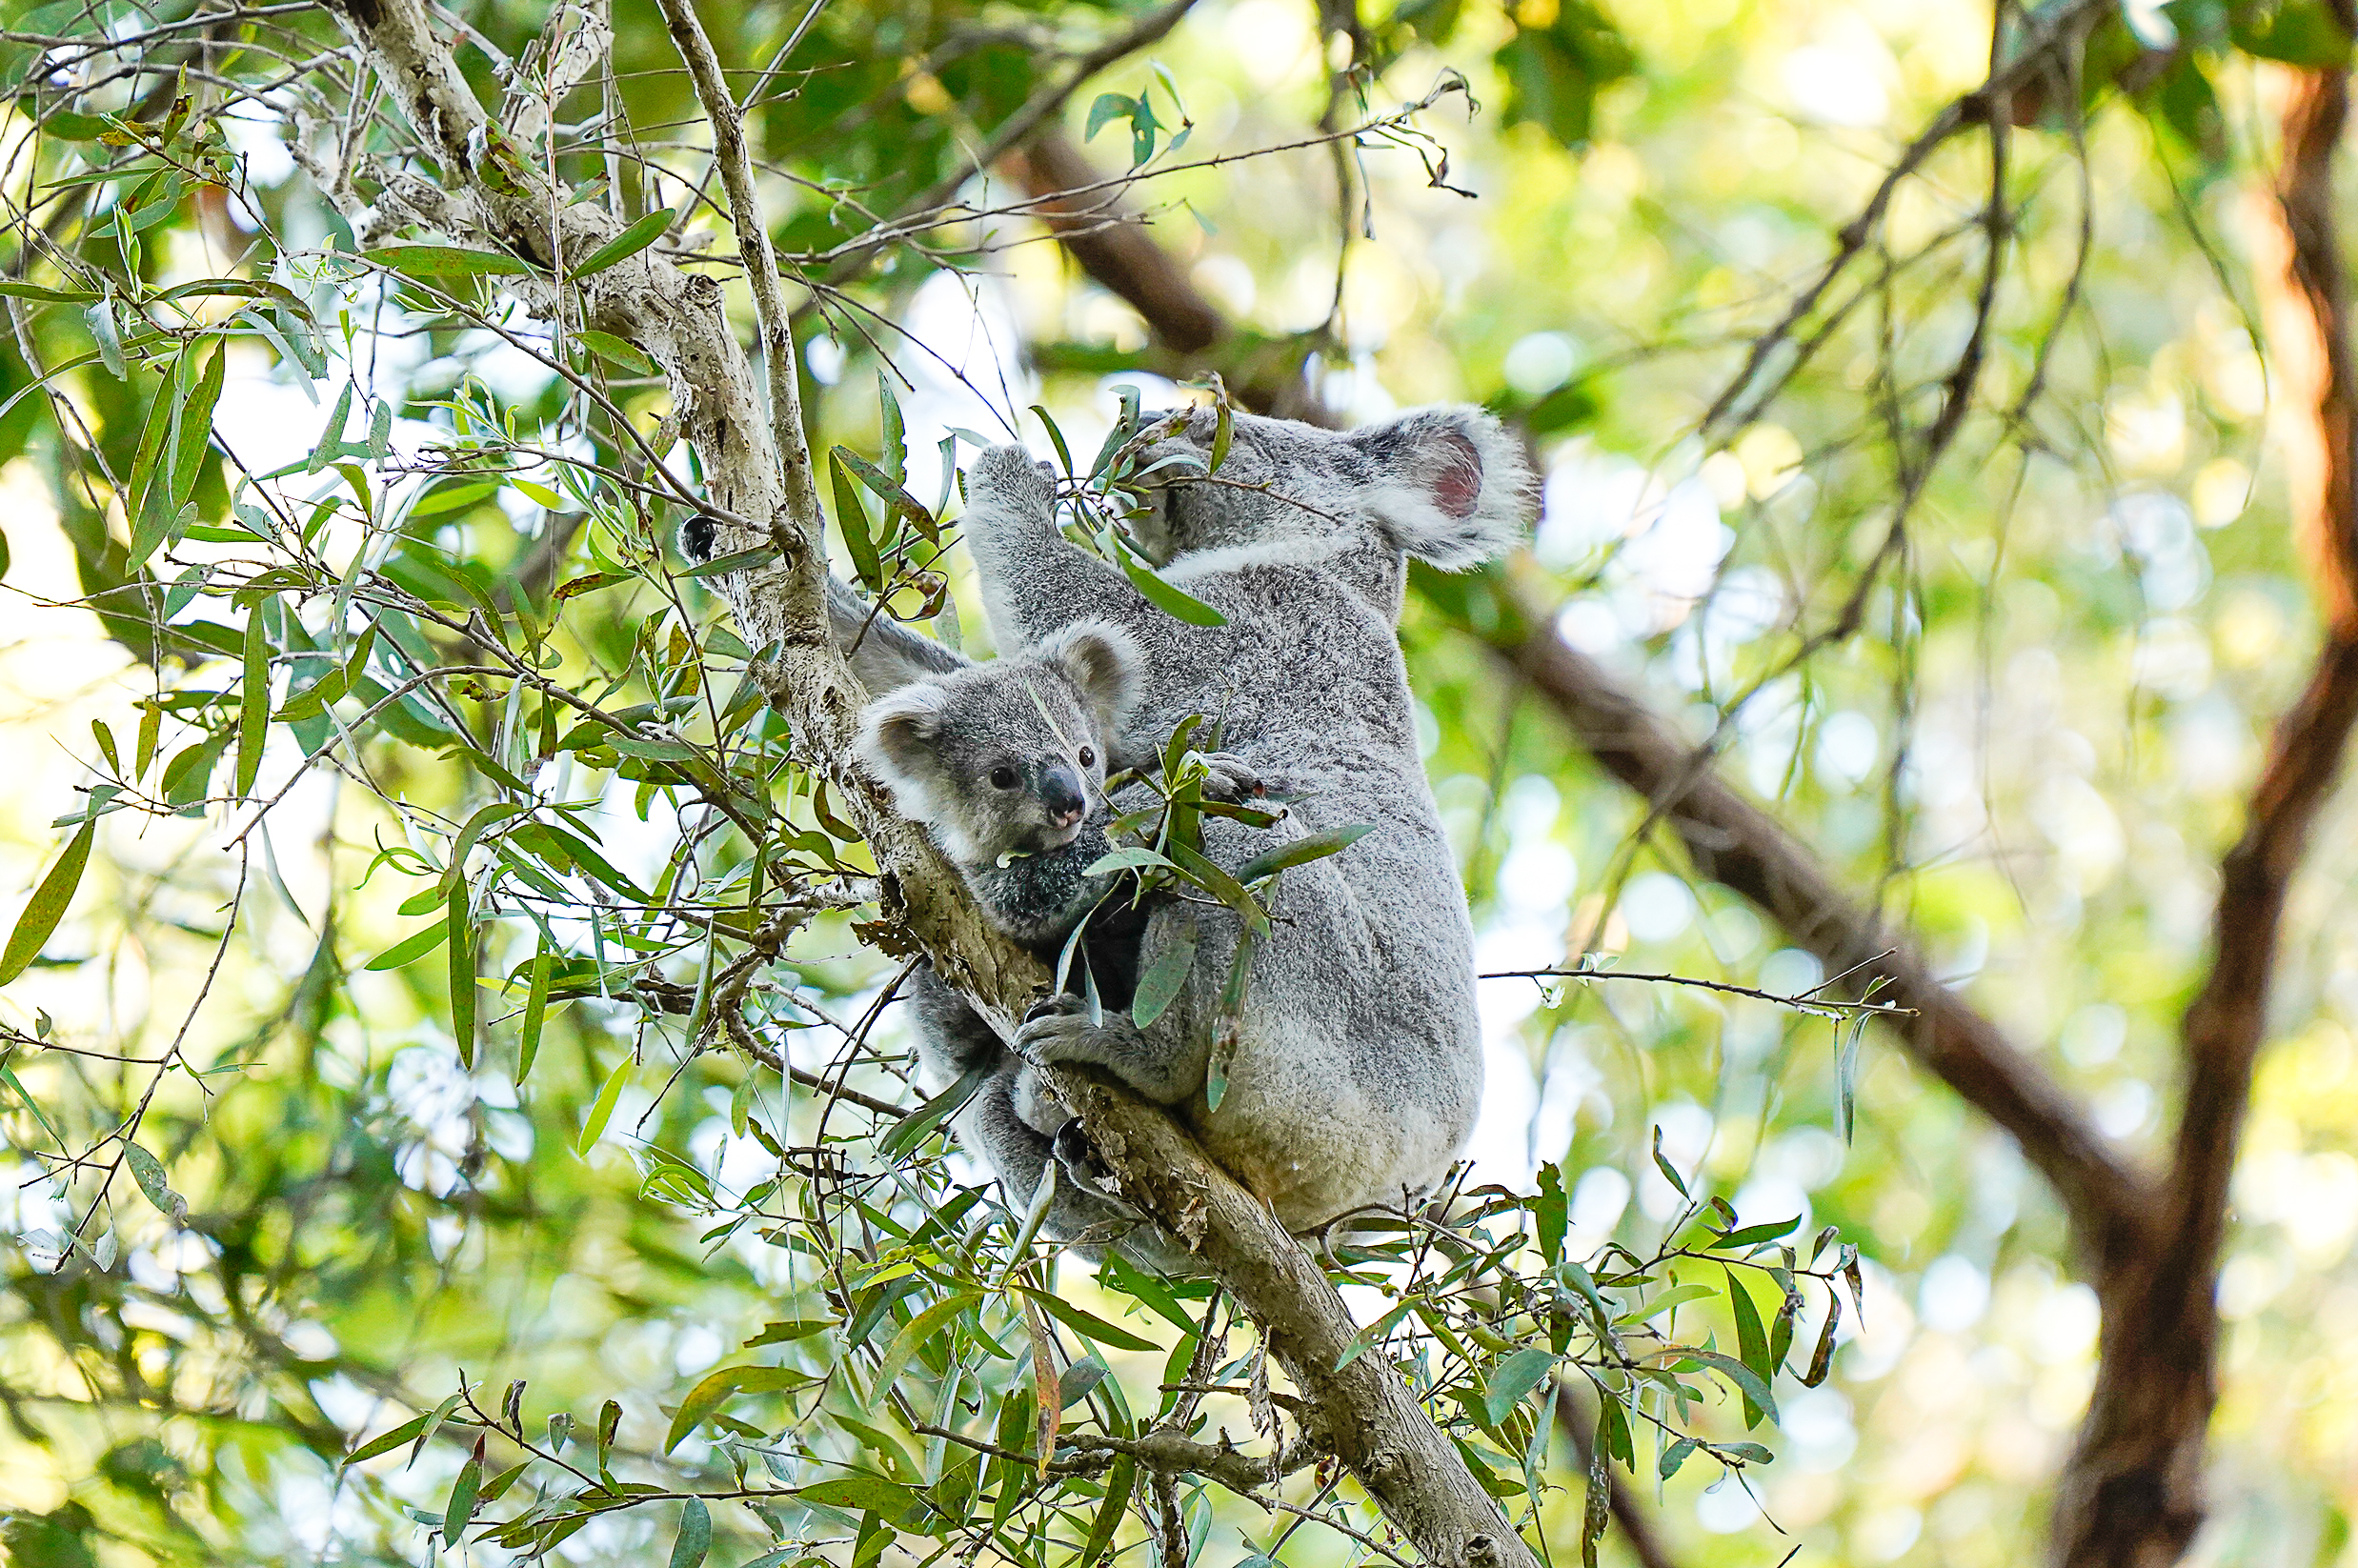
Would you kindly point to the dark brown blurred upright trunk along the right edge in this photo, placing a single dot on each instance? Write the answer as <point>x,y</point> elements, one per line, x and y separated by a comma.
<point>2133,1494</point>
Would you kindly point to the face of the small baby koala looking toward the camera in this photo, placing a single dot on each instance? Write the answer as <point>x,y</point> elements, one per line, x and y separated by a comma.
<point>996,760</point>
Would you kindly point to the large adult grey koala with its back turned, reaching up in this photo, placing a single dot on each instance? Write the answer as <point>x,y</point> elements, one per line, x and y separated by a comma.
<point>1357,1067</point>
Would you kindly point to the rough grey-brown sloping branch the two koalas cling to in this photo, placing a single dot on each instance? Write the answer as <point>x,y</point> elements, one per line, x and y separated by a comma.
<point>758,477</point>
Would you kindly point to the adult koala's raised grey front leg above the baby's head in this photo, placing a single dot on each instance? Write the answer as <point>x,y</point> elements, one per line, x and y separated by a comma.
<point>1034,579</point>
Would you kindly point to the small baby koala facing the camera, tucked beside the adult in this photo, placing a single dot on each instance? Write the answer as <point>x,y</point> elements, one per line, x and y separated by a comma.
<point>1006,765</point>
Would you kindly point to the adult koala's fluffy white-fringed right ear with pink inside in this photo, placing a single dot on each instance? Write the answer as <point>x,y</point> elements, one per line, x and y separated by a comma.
<point>1454,487</point>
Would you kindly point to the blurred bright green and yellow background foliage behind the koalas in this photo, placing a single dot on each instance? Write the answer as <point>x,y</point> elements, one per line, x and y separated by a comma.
<point>2031,749</point>
